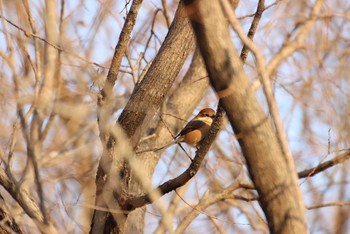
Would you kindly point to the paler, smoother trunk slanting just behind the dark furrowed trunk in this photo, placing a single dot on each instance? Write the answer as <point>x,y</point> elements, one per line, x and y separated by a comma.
<point>181,104</point>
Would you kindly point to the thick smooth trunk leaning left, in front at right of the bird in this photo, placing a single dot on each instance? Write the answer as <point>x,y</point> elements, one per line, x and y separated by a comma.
<point>279,195</point>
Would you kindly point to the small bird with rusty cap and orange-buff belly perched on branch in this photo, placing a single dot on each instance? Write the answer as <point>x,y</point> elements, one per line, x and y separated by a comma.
<point>195,130</point>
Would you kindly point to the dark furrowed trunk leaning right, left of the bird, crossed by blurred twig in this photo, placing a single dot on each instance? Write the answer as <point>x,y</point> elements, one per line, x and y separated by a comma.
<point>135,118</point>
